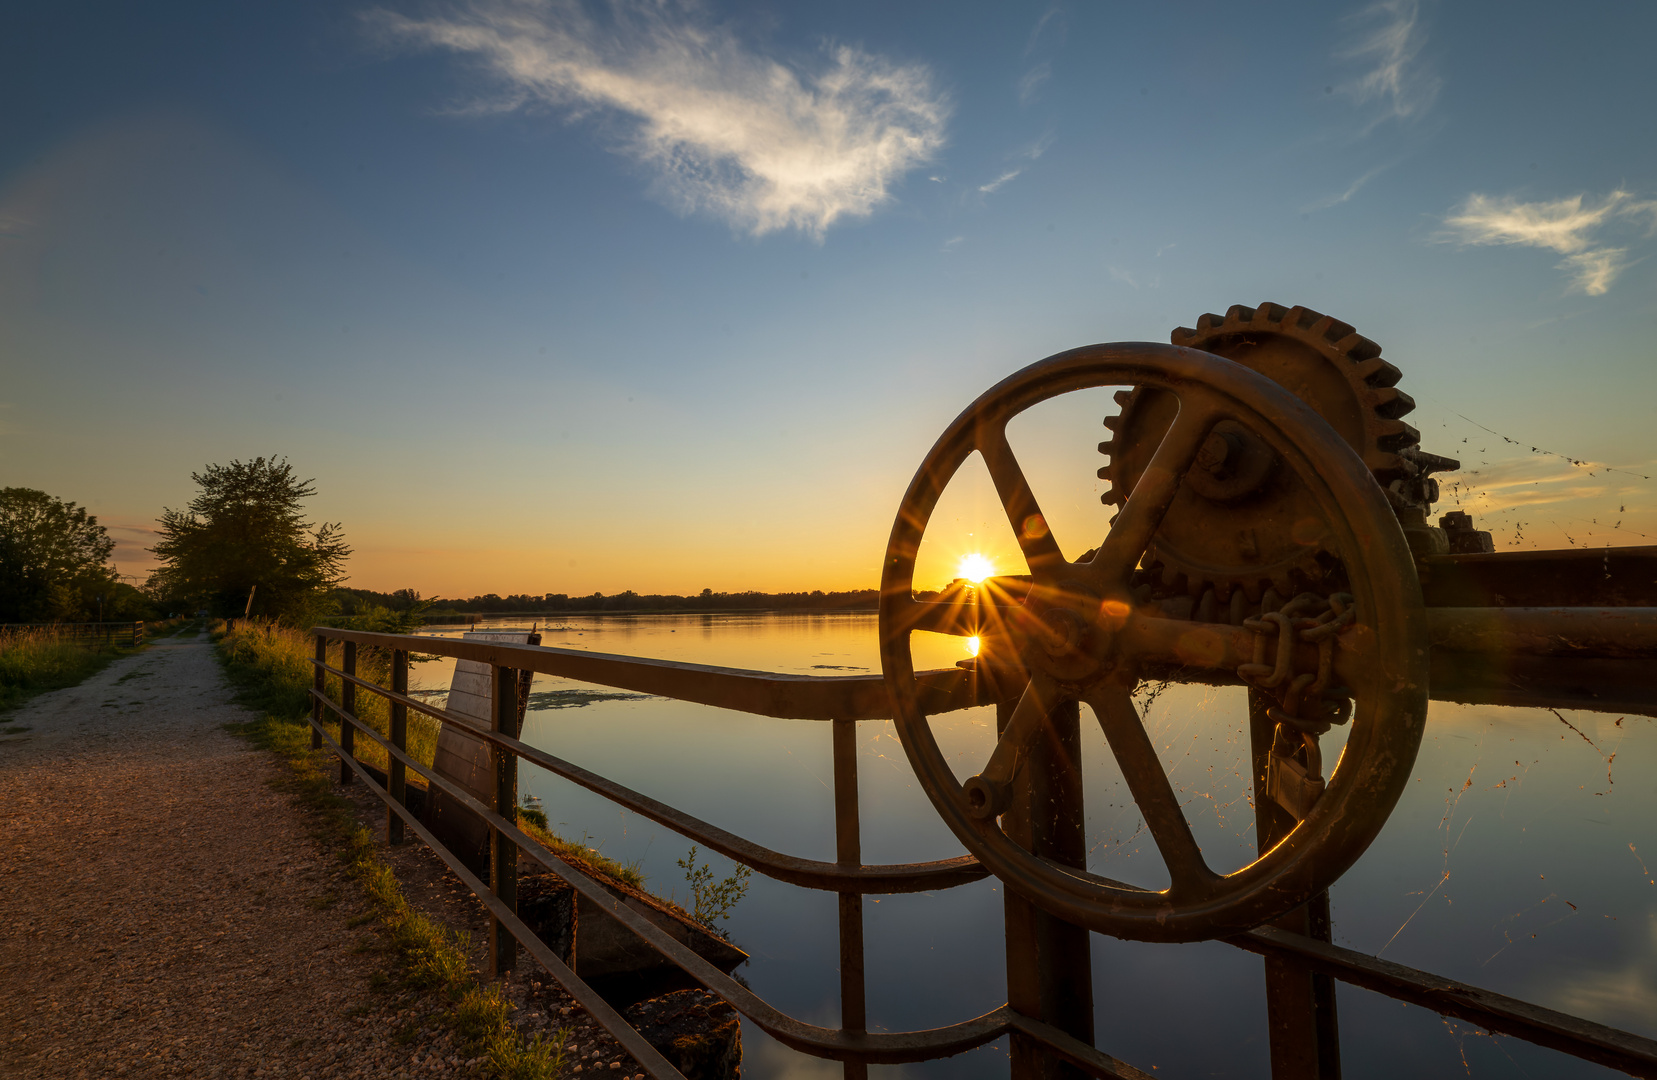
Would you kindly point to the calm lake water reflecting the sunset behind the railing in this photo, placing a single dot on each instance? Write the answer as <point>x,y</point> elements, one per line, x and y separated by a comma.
<point>1520,861</point>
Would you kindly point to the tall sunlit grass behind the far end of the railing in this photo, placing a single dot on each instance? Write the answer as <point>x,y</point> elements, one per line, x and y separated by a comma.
<point>273,667</point>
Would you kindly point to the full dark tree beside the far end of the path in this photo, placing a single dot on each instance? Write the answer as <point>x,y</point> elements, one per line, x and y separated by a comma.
<point>246,533</point>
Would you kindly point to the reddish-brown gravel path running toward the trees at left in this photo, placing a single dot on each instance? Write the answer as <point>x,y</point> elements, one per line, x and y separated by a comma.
<point>163,912</point>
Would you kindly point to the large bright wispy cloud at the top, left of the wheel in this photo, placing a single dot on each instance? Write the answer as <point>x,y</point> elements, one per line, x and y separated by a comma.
<point>727,130</point>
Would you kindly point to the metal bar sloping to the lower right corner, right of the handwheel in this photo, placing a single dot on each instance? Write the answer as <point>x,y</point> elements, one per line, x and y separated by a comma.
<point>1497,1013</point>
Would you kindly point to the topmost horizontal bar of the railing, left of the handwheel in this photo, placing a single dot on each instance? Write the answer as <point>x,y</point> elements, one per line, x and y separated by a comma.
<point>763,693</point>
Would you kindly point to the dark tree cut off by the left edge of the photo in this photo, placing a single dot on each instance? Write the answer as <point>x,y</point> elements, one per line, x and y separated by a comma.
<point>54,559</point>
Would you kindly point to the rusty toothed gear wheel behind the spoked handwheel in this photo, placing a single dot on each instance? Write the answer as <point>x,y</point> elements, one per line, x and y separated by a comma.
<point>1240,523</point>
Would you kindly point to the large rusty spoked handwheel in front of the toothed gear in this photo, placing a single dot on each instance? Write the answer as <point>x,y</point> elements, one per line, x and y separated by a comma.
<point>1080,637</point>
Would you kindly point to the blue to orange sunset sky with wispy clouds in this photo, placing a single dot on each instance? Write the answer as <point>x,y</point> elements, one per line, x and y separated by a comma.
<point>556,297</point>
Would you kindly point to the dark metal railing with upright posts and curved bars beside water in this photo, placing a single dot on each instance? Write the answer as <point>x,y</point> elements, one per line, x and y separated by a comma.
<point>1048,1041</point>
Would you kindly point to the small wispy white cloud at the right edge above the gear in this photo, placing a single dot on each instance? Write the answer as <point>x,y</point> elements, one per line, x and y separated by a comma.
<point>1572,228</point>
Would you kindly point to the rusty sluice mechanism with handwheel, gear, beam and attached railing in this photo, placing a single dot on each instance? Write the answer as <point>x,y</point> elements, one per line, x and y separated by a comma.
<point>1273,534</point>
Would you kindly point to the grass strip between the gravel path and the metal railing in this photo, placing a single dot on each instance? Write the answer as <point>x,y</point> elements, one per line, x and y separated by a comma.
<point>271,668</point>
